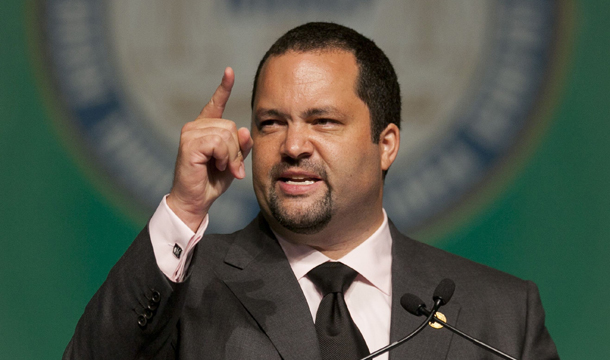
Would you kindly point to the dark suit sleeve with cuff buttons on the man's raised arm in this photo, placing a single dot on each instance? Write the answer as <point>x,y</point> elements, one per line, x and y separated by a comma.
<point>134,314</point>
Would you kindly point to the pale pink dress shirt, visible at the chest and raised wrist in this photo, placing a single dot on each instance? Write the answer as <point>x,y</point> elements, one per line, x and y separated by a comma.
<point>369,298</point>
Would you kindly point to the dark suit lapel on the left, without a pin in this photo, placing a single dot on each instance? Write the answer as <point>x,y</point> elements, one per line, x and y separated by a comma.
<point>258,273</point>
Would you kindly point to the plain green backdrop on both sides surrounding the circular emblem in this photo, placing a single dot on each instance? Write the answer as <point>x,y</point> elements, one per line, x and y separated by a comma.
<point>59,236</point>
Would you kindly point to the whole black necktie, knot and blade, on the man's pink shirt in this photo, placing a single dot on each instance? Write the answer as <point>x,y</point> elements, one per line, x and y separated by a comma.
<point>338,335</point>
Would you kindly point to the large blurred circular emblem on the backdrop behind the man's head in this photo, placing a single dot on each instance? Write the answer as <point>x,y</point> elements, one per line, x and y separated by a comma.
<point>129,74</point>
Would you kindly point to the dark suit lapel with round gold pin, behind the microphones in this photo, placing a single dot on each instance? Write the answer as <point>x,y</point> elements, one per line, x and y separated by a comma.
<point>413,271</point>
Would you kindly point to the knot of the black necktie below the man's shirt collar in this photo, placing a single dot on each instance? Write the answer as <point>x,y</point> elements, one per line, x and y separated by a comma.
<point>332,277</point>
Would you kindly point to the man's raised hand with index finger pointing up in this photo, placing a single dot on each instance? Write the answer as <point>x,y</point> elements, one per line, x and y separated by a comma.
<point>211,154</point>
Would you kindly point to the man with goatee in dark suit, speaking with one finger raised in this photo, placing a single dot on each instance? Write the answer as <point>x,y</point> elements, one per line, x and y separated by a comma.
<point>325,130</point>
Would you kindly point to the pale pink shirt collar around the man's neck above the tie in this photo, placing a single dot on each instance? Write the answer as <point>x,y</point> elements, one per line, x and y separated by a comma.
<point>372,259</point>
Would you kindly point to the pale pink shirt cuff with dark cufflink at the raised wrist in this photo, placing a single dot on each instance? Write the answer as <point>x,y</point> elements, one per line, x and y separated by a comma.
<point>173,241</point>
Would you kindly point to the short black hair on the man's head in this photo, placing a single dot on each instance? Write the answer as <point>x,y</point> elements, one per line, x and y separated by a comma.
<point>377,84</point>
